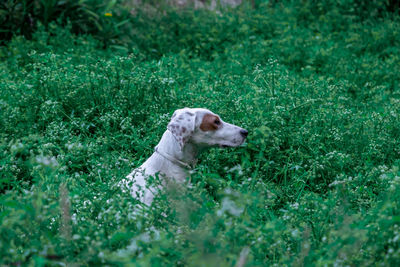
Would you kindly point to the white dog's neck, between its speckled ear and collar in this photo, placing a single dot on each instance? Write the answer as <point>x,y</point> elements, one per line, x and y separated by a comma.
<point>170,146</point>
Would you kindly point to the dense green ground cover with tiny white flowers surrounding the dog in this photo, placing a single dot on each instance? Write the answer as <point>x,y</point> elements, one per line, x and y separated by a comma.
<point>318,181</point>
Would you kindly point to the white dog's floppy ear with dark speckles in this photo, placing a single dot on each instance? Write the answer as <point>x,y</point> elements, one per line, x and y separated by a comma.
<point>182,125</point>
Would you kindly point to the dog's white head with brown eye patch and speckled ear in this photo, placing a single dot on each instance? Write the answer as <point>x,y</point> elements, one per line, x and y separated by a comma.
<point>204,128</point>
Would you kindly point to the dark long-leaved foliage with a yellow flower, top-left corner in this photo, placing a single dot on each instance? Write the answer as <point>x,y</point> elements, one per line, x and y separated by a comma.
<point>85,16</point>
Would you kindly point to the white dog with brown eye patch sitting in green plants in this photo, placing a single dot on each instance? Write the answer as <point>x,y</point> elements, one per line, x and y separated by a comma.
<point>189,131</point>
